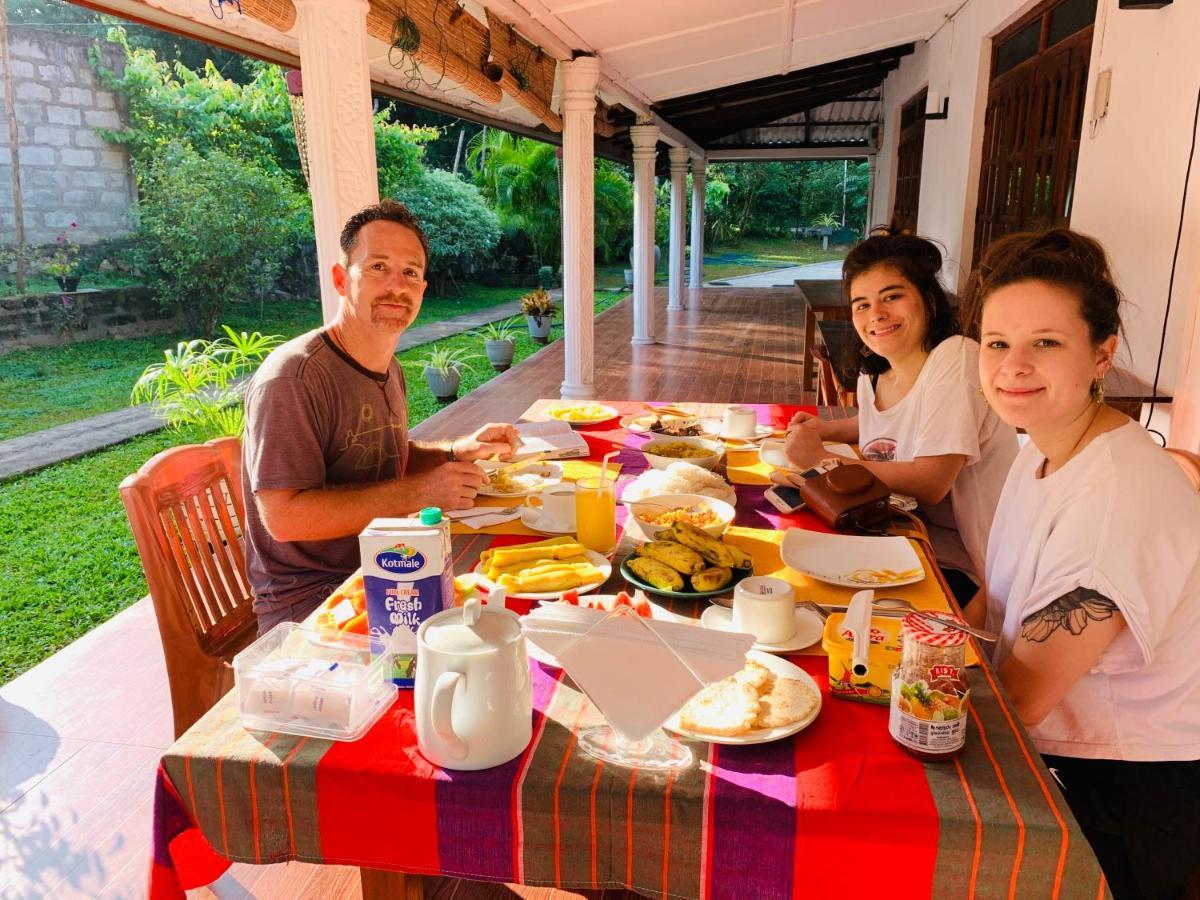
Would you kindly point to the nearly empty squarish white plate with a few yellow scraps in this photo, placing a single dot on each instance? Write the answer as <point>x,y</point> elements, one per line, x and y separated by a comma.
<point>837,559</point>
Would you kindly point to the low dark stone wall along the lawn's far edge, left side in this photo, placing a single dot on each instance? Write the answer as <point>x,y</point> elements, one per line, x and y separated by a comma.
<point>56,320</point>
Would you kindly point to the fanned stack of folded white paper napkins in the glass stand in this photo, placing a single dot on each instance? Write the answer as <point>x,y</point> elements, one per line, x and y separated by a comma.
<point>638,671</point>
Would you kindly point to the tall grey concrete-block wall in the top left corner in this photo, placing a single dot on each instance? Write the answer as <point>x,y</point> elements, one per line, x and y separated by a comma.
<point>68,172</point>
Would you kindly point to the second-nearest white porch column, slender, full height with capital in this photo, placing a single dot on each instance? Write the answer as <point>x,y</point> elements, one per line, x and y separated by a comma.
<point>578,106</point>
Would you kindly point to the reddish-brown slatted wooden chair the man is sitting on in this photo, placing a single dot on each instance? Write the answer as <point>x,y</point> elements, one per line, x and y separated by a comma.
<point>187,511</point>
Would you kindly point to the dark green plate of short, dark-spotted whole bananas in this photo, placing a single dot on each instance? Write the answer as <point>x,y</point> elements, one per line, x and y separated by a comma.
<point>687,563</point>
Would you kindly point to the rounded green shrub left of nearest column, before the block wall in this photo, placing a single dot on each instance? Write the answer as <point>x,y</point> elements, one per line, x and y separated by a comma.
<point>212,231</point>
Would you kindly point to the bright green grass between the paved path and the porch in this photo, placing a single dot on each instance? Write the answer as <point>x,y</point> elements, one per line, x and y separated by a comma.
<point>68,561</point>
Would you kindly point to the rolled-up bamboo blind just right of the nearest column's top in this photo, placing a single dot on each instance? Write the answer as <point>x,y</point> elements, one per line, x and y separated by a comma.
<point>433,40</point>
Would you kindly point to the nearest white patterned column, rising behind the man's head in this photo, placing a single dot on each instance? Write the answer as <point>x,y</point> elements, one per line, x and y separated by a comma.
<point>339,124</point>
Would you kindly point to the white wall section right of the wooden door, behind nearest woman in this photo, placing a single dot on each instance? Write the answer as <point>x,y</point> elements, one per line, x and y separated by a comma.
<point>1130,187</point>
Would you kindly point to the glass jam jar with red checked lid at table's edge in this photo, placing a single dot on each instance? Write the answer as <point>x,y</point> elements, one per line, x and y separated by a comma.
<point>929,688</point>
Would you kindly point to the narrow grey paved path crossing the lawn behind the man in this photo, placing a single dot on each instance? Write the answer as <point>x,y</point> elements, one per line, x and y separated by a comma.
<point>68,442</point>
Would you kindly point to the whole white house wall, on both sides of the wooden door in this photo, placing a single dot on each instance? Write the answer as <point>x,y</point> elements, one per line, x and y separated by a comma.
<point>1130,178</point>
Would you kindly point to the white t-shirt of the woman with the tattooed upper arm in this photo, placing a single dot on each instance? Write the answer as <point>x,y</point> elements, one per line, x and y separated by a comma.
<point>1123,520</point>
